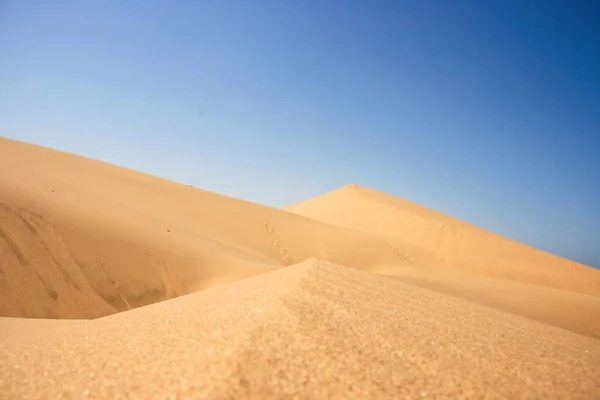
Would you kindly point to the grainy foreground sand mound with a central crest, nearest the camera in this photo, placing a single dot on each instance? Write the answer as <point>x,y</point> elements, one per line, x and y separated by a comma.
<point>313,330</point>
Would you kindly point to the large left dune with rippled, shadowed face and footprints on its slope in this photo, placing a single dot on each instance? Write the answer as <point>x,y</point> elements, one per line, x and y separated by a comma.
<point>81,238</point>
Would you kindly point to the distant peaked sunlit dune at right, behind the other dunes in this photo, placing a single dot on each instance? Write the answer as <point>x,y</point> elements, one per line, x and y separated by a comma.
<point>453,242</point>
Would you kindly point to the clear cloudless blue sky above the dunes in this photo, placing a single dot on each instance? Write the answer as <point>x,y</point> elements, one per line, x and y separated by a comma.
<point>486,110</point>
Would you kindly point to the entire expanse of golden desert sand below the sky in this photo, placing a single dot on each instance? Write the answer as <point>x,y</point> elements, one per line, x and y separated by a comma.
<point>117,284</point>
